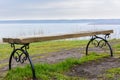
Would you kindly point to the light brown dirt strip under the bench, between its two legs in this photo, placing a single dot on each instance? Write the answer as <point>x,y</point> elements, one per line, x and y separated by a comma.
<point>55,57</point>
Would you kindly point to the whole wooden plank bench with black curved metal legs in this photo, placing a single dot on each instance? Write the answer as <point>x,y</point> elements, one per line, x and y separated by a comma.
<point>24,42</point>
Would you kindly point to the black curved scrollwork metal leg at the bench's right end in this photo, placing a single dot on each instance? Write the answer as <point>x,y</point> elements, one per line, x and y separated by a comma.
<point>99,43</point>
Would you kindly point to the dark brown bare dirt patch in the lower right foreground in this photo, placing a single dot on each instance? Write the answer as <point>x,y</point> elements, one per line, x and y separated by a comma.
<point>94,69</point>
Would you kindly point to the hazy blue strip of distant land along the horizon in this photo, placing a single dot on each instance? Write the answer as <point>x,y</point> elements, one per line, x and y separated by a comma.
<point>88,21</point>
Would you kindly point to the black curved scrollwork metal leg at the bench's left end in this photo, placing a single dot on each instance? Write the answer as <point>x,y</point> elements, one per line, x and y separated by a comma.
<point>21,55</point>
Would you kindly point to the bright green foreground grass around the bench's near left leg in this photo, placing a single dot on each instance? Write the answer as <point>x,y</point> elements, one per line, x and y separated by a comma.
<point>47,71</point>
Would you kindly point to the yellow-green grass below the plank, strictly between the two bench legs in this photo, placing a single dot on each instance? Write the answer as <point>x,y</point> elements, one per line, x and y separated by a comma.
<point>53,46</point>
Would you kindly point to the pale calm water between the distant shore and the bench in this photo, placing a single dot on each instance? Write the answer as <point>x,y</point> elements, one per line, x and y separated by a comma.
<point>17,30</point>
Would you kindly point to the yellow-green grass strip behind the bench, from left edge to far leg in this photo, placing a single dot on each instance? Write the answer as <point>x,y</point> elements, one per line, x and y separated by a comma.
<point>43,47</point>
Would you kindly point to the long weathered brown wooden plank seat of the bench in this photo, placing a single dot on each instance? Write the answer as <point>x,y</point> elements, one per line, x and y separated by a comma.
<point>56,37</point>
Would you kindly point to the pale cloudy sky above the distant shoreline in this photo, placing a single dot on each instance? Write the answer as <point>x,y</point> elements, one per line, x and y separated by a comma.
<point>59,9</point>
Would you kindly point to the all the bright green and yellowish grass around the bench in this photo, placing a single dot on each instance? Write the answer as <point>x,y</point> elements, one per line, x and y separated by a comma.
<point>51,71</point>
